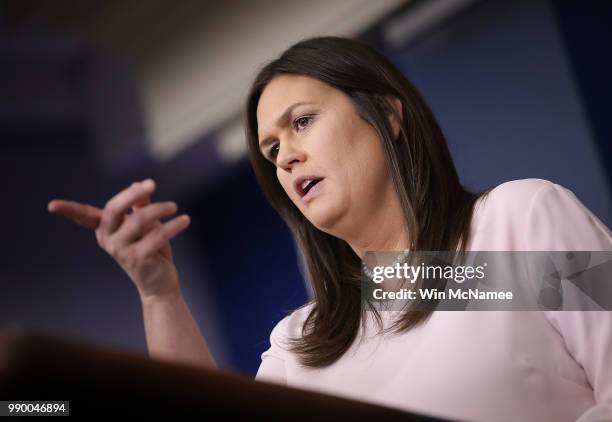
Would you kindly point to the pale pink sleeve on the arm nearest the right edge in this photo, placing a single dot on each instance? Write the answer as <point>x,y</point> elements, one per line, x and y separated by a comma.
<point>558,221</point>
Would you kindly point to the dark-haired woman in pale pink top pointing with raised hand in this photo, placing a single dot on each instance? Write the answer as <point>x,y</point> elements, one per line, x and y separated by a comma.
<point>352,159</point>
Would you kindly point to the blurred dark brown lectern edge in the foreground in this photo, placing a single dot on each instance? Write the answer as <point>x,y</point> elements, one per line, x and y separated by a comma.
<point>100,380</point>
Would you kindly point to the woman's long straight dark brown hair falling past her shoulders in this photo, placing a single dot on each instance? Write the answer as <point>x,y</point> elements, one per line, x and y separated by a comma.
<point>437,208</point>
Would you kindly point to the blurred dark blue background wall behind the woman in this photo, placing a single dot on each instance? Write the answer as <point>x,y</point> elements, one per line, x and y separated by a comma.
<point>521,89</point>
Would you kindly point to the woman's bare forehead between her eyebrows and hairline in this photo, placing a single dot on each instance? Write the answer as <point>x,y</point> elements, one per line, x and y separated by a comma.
<point>285,90</point>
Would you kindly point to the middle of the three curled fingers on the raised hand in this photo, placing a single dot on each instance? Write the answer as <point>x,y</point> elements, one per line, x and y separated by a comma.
<point>139,223</point>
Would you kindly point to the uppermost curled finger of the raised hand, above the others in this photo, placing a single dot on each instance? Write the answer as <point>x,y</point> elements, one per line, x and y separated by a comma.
<point>116,208</point>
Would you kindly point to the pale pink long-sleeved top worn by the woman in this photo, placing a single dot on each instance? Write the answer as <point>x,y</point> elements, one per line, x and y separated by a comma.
<point>483,366</point>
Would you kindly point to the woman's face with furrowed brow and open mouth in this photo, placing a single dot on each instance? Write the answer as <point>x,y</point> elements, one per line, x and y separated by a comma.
<point>323,138</point>
